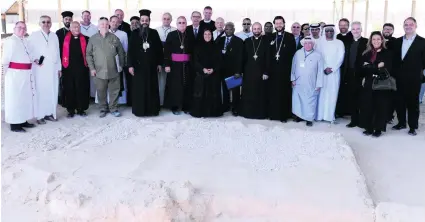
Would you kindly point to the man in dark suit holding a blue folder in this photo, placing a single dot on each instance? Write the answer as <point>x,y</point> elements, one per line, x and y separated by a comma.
<point>232,52</point>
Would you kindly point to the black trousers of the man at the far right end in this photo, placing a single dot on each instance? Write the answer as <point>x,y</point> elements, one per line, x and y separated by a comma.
<point>408,103</point>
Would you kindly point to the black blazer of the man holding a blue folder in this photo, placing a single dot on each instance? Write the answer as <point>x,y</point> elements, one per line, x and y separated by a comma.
<point>232,59</point>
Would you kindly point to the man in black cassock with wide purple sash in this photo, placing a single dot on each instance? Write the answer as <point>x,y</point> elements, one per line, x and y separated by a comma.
<point>177,50</point>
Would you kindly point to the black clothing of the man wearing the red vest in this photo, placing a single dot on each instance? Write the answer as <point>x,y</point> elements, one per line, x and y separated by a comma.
<point>76,78</point>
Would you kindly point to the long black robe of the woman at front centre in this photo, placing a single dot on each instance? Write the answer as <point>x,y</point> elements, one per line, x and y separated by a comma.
<point>207,87</point>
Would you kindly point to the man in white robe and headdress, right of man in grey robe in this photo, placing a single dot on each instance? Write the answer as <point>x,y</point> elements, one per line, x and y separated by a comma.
<point>332,51</point>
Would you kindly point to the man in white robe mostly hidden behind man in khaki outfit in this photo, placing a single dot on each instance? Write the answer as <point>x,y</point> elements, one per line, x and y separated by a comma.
<point>113,23</point>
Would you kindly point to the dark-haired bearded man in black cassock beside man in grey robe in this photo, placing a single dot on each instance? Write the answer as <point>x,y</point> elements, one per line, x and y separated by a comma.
<point>282,49</point>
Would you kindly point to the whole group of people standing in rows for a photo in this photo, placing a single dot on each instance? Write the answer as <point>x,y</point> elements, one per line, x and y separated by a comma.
<point>308,74</point>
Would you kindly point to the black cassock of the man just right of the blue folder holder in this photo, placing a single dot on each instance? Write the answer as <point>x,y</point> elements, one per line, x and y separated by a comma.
<point>254,88</point>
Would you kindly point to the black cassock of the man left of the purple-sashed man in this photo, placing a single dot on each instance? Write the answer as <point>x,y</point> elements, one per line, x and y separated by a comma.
<point>145,92</point>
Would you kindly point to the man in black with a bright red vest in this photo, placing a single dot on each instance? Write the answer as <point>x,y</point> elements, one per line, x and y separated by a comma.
<point>75,72</point>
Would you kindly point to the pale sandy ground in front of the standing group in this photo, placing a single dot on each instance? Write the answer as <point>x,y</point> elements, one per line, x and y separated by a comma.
<point>36,163</point>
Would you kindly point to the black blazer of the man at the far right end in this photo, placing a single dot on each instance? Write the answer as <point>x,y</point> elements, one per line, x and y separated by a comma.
<point>409,71</point>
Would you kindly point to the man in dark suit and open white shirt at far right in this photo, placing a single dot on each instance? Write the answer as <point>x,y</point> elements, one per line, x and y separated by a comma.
<point>408,66</point>
